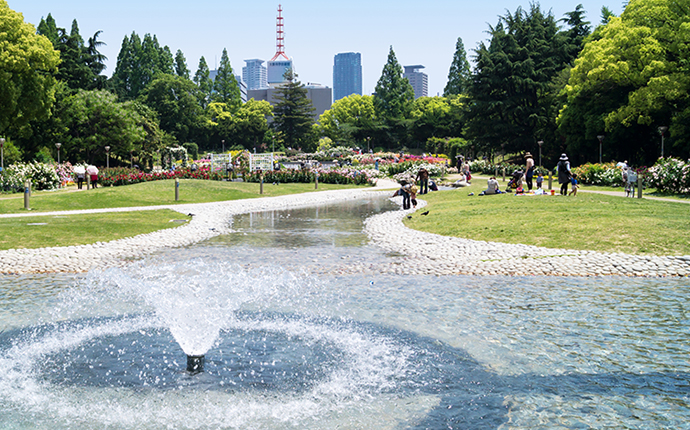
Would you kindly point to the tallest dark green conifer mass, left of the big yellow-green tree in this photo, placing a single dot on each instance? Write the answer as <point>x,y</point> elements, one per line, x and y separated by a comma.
<point>509,104</point>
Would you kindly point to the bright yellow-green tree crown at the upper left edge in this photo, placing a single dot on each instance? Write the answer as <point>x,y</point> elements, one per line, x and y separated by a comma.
<point>28,63</point>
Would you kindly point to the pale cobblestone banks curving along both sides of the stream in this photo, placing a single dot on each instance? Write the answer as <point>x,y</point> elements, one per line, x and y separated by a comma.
<point>423,253</point>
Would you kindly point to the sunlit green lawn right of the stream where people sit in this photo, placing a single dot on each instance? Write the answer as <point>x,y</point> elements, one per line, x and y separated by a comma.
<point>587,221</point>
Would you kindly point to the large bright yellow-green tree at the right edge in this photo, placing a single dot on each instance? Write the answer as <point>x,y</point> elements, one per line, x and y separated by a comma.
<point>632,79</point>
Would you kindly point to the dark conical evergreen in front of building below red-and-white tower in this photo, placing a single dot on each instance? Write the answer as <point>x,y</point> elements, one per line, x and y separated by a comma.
<point>293,115</point>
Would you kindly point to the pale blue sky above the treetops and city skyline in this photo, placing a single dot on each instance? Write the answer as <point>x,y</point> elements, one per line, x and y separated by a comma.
<point>420,32</point>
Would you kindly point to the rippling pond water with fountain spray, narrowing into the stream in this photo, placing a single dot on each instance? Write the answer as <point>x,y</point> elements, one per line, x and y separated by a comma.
<point>293,340</point>
